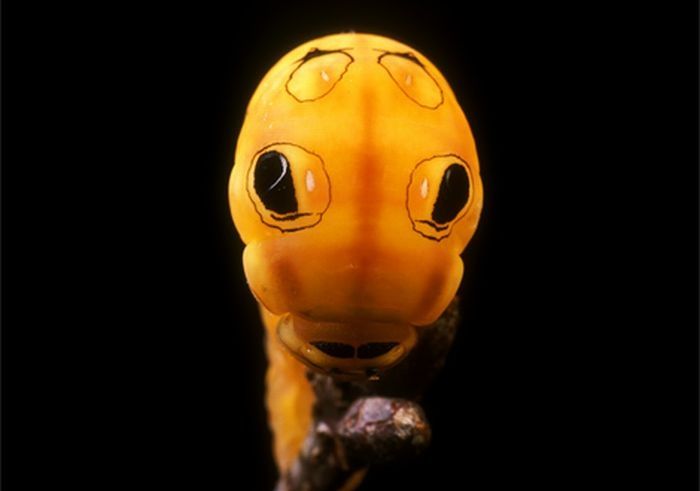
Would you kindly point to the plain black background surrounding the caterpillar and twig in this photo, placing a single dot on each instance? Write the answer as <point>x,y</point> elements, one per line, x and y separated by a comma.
<point>132,353</point>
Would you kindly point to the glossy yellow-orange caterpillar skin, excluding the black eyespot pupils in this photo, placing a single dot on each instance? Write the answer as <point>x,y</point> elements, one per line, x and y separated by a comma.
<point>375,124</point>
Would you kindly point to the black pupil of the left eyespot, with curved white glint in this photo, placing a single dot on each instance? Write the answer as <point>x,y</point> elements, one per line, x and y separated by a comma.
<point>274,184</point>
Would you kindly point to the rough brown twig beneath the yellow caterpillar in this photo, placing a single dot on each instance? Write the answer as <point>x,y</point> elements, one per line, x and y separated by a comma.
<point>361,423</point>
